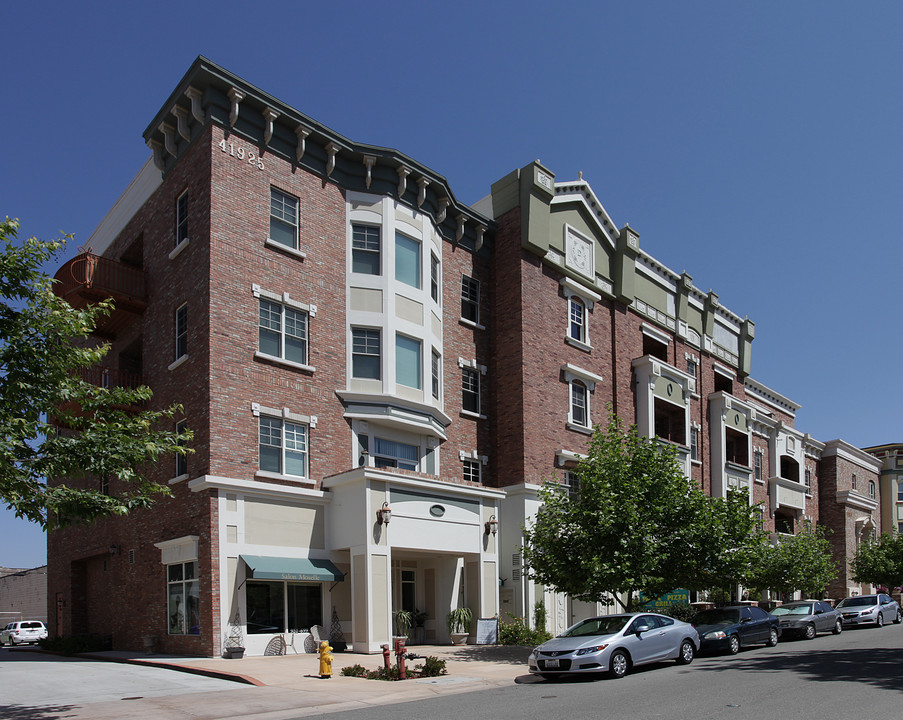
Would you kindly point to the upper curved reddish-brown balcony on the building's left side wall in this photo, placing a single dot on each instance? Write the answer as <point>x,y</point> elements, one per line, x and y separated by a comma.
<point>88,278</point>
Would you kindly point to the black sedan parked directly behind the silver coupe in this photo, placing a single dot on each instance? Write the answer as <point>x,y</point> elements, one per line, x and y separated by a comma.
<point>727,629</point>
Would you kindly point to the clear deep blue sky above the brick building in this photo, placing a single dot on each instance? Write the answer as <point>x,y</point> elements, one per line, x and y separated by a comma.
<point>754,145</point>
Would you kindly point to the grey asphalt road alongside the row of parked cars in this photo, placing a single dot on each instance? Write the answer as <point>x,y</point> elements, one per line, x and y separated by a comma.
<point>856,674</point>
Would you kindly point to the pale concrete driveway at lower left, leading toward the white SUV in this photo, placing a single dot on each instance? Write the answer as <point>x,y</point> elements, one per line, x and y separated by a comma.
<point>37,680</point>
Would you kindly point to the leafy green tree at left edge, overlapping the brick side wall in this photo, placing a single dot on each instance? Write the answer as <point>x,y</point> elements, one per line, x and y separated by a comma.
<point>60,435</point>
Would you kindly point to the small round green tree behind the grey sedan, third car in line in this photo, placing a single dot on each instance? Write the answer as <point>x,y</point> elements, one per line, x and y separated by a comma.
<point>798,562</point>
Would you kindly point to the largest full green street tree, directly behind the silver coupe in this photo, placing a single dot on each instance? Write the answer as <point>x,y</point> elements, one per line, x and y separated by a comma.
<point>634,525</point>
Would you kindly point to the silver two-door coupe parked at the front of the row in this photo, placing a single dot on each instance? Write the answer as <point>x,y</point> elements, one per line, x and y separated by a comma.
<point>614,644</point>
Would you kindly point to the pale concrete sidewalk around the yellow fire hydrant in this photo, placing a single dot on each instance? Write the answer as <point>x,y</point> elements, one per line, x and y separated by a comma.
<point>289,687</point>
